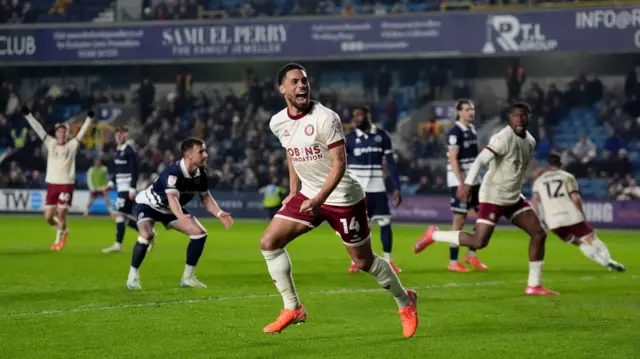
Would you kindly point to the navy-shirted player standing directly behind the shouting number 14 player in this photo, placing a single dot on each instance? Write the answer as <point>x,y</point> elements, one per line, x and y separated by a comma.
<point>368,147</point>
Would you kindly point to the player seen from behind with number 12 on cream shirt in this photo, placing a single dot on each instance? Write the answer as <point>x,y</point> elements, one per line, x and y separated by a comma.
<point>556,197</point>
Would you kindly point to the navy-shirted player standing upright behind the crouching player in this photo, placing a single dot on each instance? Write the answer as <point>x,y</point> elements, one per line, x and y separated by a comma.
<point>124,179</point>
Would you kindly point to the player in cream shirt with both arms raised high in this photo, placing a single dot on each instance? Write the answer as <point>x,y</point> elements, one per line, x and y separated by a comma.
<point>61,172</point>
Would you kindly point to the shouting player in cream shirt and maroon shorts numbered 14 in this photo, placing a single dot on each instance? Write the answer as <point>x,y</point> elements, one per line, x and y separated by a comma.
<point>314,139</point>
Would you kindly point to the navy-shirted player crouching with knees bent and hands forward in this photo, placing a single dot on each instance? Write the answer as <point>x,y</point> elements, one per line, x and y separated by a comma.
<point>164,202</point>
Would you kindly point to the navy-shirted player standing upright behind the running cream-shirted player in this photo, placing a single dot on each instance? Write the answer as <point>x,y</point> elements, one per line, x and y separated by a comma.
<point>462,140</point>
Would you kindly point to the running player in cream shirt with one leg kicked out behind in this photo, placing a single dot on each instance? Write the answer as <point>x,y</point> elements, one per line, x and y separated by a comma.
<point>508,153</point>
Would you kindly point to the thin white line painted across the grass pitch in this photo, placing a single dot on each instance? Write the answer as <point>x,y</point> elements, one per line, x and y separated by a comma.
<point>263,296</point>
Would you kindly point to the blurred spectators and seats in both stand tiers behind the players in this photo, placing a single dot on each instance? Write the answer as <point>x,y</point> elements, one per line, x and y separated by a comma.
<point>592,119</point>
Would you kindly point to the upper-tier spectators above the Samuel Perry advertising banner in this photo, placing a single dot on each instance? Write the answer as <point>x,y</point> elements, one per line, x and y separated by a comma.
<point>25,11</point>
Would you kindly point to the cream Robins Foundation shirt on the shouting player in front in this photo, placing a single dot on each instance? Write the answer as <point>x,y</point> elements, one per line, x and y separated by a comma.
<point>308,139</point>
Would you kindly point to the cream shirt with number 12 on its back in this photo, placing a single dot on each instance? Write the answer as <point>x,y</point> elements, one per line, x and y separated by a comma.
<point>554,188</point>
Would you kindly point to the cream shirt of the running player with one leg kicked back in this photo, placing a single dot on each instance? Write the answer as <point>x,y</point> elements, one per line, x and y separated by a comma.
<point>502,185</point>
